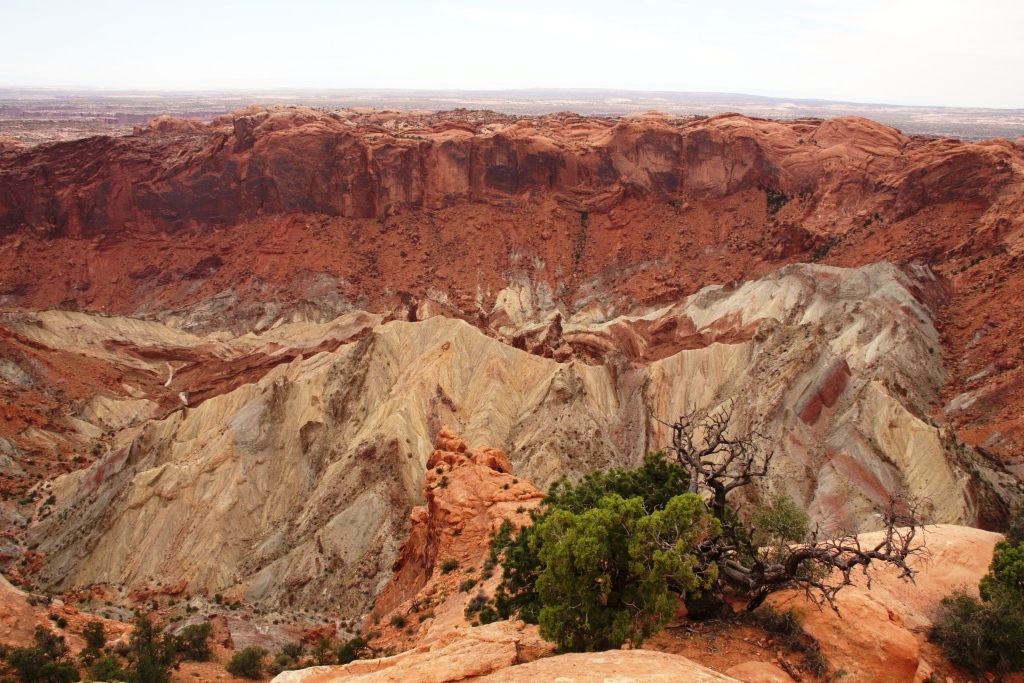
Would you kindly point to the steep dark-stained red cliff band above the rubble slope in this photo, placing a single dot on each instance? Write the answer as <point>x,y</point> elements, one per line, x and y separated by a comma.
<point>175,176</point>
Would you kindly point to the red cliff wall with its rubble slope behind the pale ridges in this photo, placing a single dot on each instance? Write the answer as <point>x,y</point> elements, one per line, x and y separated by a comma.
<point>295,215</point>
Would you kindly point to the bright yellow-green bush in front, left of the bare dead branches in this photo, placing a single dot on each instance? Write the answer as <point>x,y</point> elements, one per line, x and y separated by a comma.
<point>607,571</point>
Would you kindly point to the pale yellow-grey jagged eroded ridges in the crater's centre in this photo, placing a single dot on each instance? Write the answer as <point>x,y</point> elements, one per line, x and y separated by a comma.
<point>835,366</point>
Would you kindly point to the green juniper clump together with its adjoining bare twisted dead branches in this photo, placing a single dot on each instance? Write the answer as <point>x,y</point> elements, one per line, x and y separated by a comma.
<point>606,560</point>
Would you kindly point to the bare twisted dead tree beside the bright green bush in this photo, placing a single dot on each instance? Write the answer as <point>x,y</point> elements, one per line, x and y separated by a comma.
<point>720,463</point>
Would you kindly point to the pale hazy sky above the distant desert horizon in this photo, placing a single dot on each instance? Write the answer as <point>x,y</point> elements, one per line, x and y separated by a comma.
<point>955,53</point>
